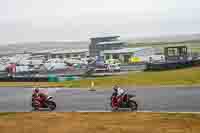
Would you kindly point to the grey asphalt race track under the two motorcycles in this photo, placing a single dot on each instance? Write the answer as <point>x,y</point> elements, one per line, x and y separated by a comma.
<point>181,99</point>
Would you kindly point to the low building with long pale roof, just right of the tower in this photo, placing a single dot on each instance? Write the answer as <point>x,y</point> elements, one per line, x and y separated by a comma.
<point>125,54</point>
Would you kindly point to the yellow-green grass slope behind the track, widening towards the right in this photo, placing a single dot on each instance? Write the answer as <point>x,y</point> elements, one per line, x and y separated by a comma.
<point>189,76</point>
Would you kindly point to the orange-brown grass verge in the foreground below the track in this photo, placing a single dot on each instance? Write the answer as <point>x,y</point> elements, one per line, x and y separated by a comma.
<point>100,123</point>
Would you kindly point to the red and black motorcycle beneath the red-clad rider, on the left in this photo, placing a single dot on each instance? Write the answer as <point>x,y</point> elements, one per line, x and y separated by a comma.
<point>47,104</point>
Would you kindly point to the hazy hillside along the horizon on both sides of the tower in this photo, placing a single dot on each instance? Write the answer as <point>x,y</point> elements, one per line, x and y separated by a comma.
<point>193,39</point>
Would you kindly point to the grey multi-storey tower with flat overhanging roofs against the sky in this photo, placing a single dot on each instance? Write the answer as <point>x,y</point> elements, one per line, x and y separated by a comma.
<point>99,44</point>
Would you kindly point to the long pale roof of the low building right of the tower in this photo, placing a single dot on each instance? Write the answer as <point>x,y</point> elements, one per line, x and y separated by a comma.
<point>125,50</point>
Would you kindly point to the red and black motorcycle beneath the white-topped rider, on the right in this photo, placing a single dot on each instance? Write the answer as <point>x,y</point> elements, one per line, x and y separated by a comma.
<point>127,102</point>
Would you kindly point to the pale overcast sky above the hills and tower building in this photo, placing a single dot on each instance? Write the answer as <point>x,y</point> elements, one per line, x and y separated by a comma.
<point>57,20</point>
